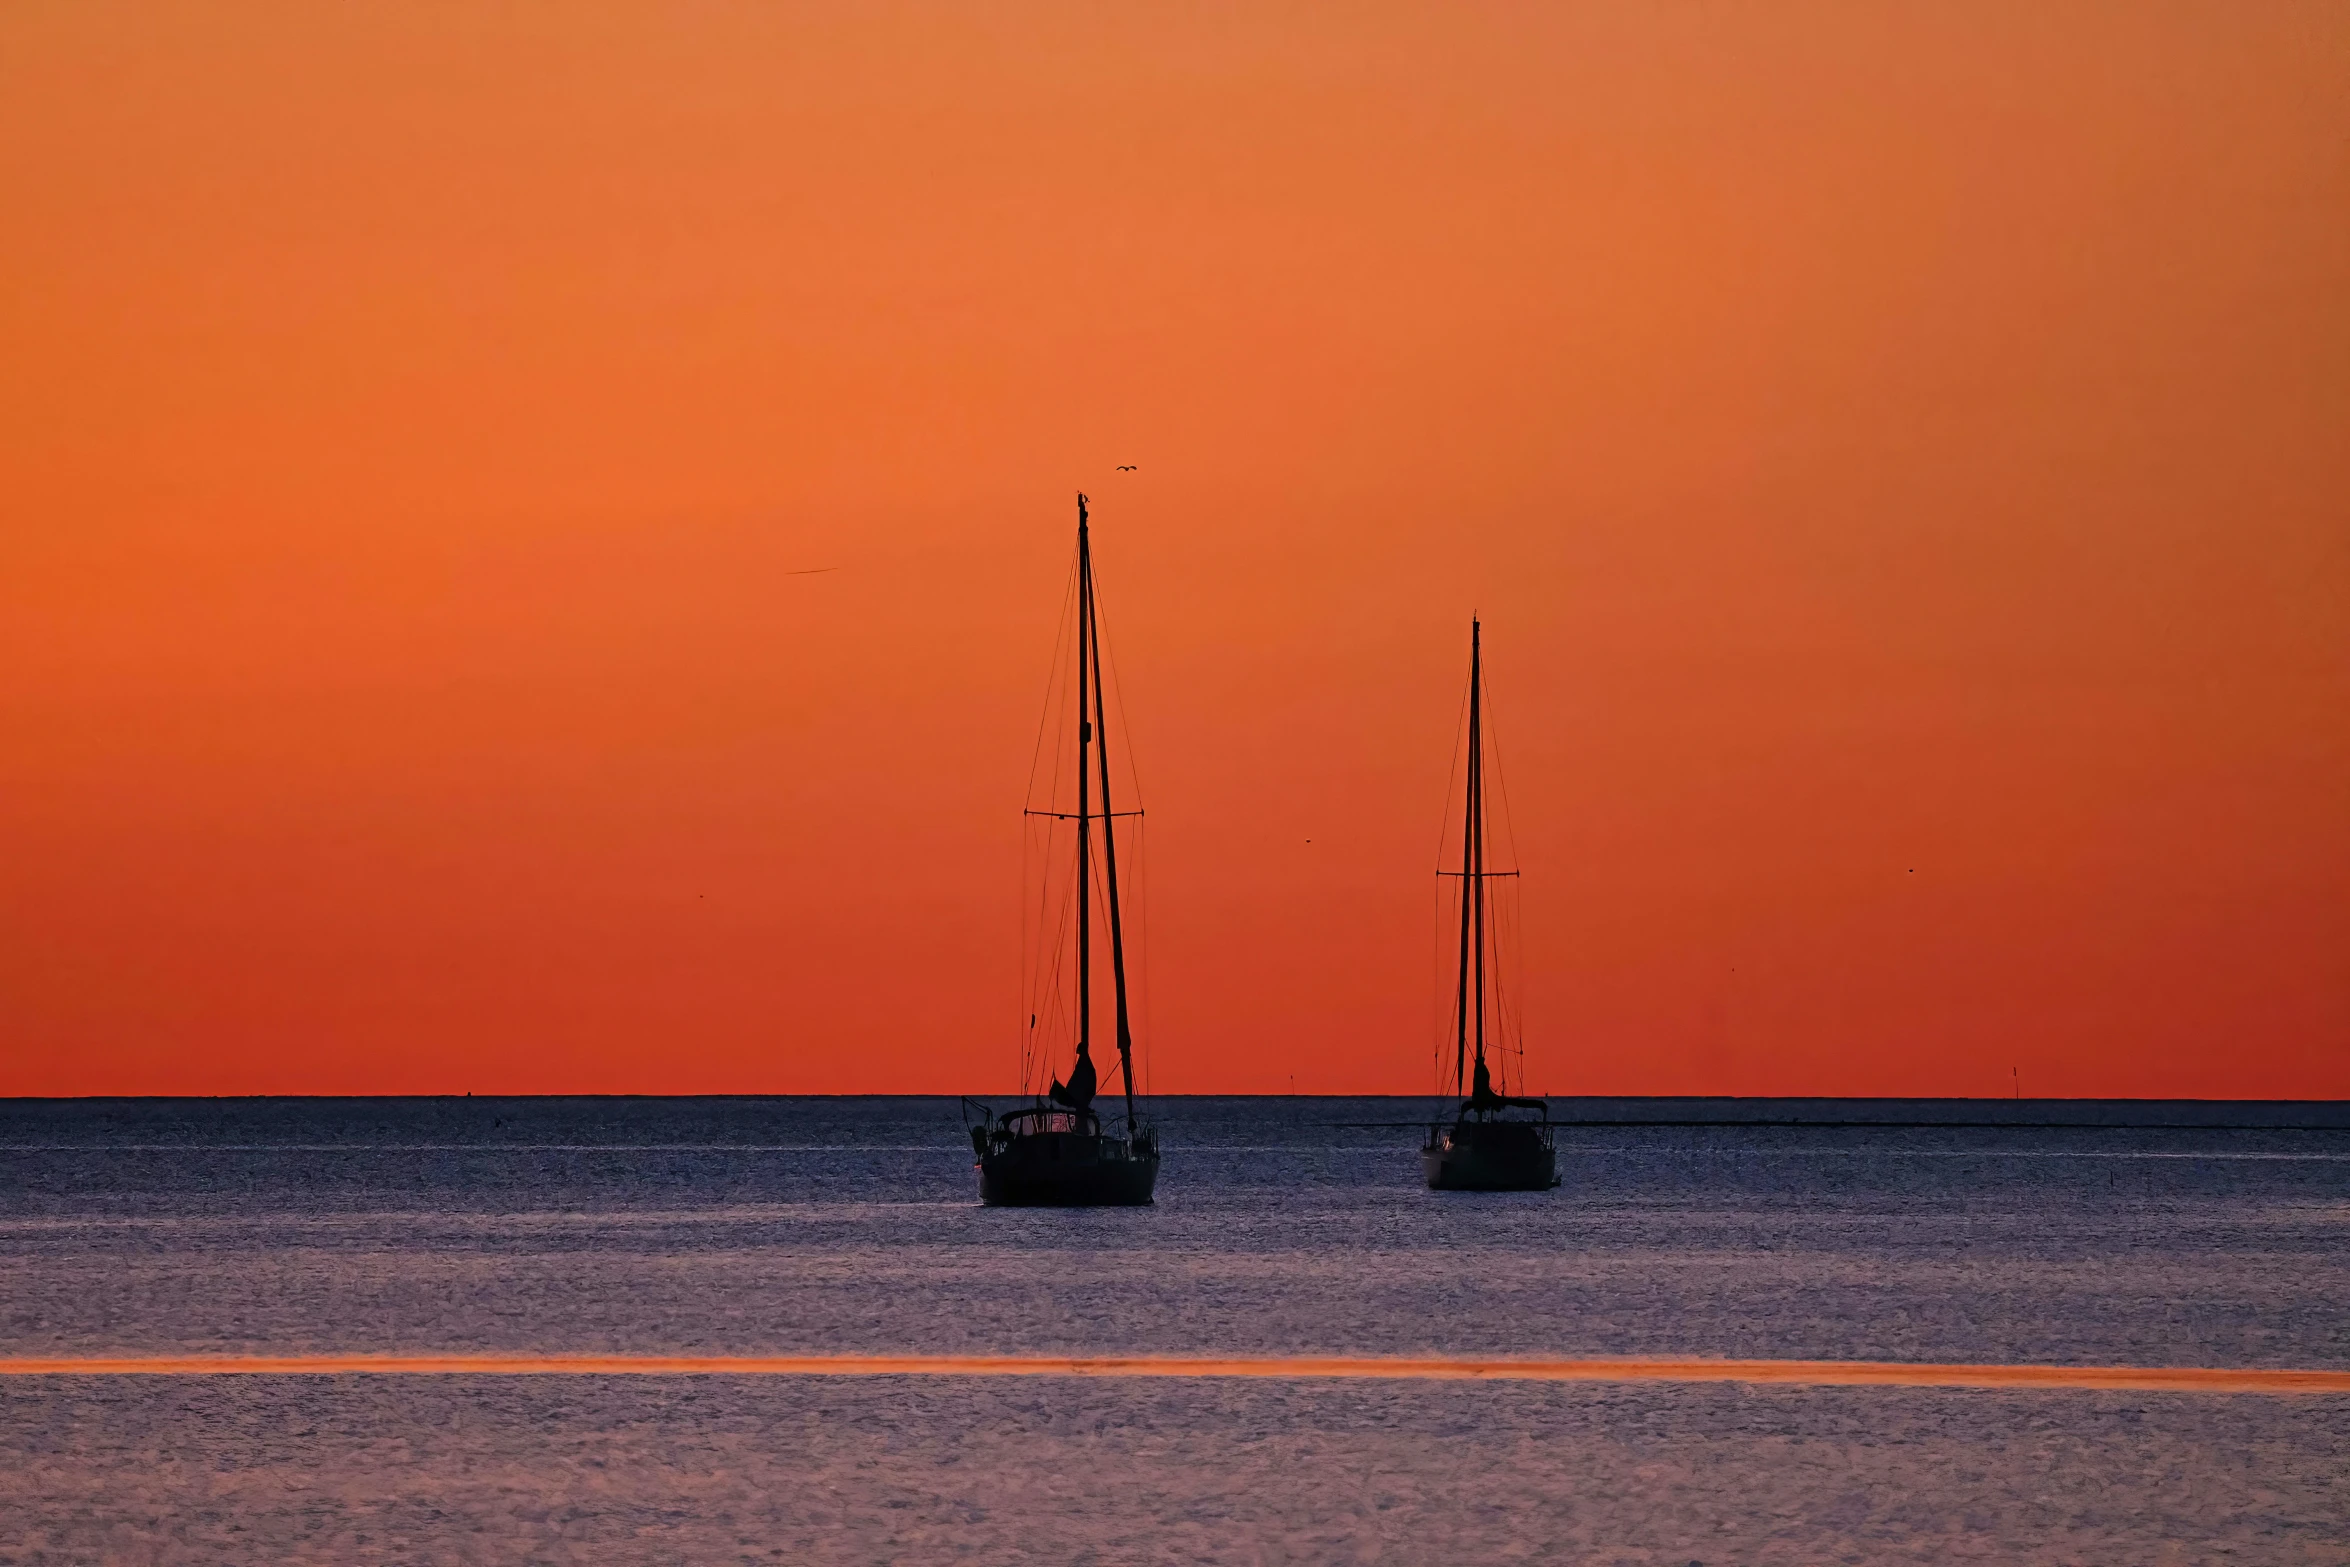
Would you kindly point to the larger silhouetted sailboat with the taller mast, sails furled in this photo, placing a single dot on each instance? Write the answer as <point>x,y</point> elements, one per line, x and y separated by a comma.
<point>1056,1150</point>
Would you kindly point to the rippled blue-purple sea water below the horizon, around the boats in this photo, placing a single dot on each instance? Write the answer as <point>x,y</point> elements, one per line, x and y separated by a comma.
<point>744,1228</point>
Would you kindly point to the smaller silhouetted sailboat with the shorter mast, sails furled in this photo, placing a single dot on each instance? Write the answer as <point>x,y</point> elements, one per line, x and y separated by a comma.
<point>1496,1143</point>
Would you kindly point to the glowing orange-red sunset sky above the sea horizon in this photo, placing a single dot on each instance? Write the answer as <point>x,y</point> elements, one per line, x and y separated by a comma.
<point>1898,450</point>
